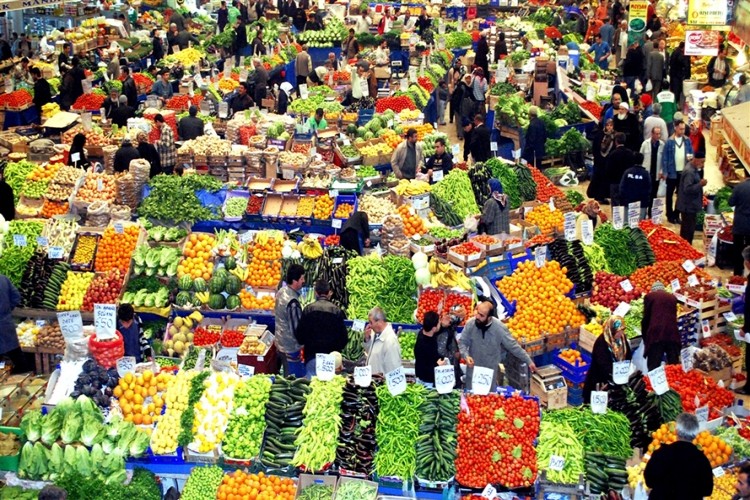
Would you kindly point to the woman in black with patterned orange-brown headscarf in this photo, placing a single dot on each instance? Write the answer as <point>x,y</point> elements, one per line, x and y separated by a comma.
<point>611,347</point>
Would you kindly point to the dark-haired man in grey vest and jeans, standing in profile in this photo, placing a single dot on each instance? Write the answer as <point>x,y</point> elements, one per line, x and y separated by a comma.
<point>287,312</point>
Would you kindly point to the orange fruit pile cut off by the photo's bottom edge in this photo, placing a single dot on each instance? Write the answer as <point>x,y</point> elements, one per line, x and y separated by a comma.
<point>239,485</point>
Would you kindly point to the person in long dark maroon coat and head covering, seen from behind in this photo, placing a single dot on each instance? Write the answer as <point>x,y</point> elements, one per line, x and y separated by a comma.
<point>659,327</point>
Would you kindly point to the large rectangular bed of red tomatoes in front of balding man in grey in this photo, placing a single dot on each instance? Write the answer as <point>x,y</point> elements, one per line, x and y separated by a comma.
<point>508,457</point>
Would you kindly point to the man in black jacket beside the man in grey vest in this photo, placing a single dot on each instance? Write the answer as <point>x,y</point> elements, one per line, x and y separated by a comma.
<point>321,328</point>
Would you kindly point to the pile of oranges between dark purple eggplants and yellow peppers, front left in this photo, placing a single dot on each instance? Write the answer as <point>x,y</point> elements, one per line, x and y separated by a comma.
<point>141,396</point>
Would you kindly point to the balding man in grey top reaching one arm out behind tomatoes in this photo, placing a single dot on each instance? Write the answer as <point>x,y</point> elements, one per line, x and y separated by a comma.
<point>485,341</point>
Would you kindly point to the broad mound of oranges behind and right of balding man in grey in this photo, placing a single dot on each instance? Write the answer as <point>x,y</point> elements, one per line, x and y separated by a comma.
<point>542,305</point>
